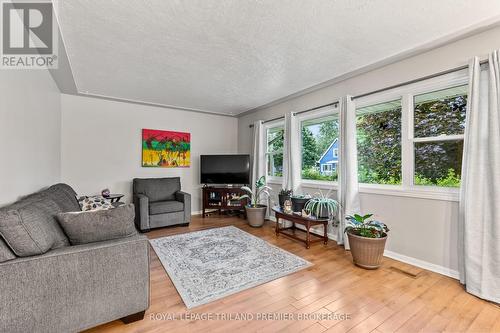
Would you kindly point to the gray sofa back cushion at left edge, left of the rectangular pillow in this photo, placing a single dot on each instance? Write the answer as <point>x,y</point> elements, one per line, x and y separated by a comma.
<point>31,230</point>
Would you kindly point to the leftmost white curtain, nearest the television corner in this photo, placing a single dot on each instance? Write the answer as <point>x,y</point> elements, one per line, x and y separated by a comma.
<point>259,156</point>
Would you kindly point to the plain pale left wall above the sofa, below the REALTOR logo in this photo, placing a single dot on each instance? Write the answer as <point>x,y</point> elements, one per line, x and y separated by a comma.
<point>30,113</point>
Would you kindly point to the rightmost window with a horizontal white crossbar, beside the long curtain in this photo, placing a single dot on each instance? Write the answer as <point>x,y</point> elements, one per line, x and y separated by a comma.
<point>438,135</point>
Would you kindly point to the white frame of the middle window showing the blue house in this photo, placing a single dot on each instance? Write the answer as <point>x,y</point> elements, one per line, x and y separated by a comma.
<point>320,113</point>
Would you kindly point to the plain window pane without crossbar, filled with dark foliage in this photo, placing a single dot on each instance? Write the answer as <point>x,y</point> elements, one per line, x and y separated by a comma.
<point>379,143</point>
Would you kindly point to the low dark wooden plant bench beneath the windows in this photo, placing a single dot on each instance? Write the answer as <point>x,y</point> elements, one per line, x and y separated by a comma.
<point>307,222</point>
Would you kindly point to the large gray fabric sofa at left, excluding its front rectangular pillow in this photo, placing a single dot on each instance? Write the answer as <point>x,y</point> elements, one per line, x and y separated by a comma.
<point>68,288</point>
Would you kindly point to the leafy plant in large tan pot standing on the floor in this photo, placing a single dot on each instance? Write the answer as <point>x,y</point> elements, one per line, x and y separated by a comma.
<point>367,240</point>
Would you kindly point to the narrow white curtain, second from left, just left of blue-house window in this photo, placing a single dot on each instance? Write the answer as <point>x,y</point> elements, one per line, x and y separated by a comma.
<point>291,153</point>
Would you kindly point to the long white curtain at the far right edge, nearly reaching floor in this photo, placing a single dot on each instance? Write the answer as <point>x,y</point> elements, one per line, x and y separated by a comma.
<point>479,209</point>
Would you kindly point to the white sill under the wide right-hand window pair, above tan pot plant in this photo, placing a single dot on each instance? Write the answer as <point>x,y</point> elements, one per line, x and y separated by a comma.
<point>443,194</point>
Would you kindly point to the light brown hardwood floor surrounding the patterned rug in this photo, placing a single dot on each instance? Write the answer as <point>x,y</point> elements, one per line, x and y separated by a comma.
<point>395,298</point>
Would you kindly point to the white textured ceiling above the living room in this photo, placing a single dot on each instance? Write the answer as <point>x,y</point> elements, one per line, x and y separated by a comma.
<point>229,56</point>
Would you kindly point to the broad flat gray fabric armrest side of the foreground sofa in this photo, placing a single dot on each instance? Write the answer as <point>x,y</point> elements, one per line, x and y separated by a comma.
<point>76,287</point>
